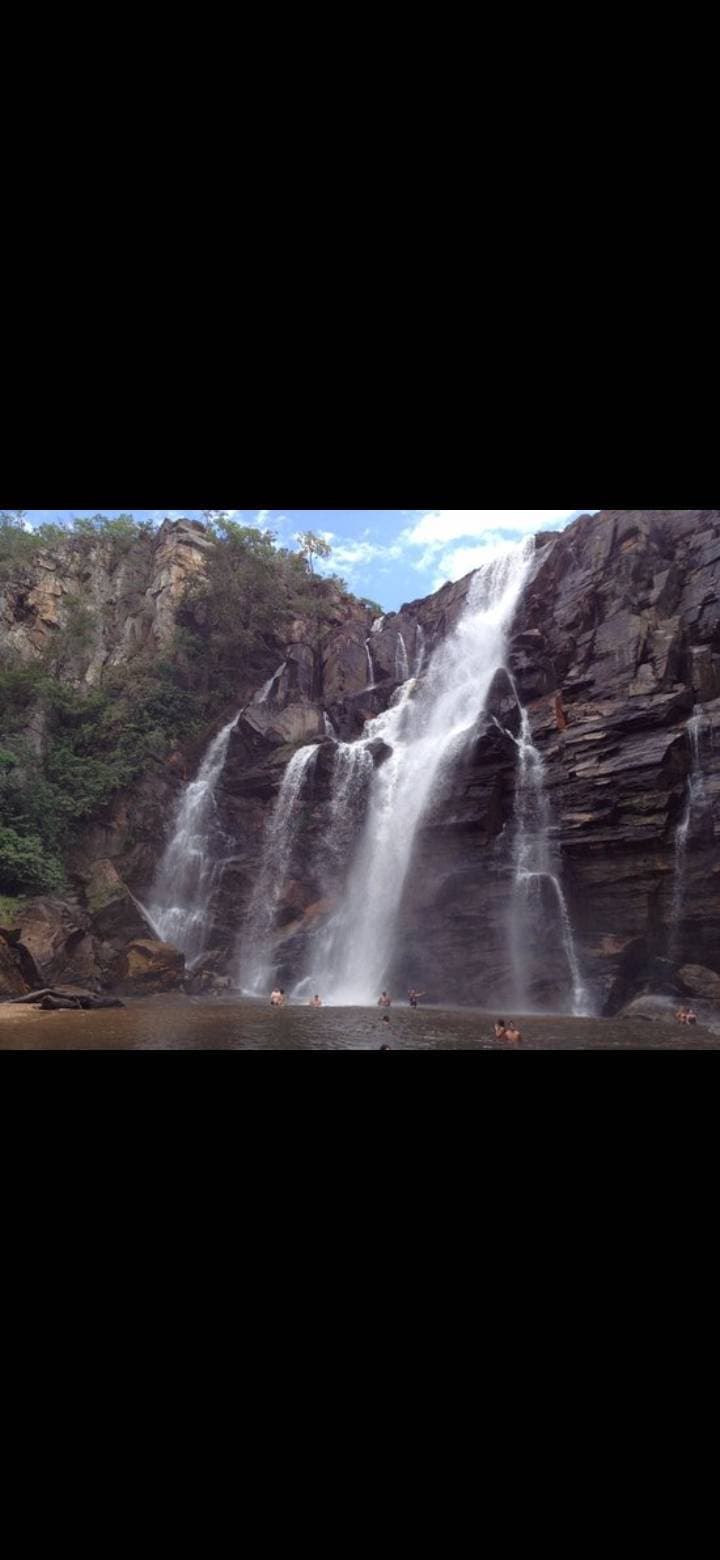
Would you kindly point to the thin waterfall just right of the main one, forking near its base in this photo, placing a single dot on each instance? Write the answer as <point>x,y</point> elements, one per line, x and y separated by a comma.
<point>532,874</point>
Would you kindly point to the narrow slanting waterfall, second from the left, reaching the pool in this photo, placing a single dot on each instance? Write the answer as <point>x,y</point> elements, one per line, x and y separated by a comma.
<point>281,831</point>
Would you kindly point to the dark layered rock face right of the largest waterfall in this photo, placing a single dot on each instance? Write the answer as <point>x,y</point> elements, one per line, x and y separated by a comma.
<point>616,640</point>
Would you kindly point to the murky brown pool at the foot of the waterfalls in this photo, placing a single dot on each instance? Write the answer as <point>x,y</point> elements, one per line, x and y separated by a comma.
<point>186,1024</point>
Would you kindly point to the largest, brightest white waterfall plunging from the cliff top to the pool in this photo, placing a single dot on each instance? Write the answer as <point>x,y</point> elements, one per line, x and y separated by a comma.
<point>425,729</point>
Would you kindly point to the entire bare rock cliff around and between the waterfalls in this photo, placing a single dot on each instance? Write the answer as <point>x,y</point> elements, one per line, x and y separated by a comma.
<point>616,643</point>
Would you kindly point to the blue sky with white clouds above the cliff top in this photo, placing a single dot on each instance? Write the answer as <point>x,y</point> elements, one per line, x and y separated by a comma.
<point>389,555</point>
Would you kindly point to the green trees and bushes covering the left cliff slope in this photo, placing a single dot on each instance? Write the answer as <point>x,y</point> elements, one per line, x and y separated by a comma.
<point>66,753</point>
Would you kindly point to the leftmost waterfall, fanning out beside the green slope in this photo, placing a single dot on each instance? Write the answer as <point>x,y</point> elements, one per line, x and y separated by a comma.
<point>192,860</point>
